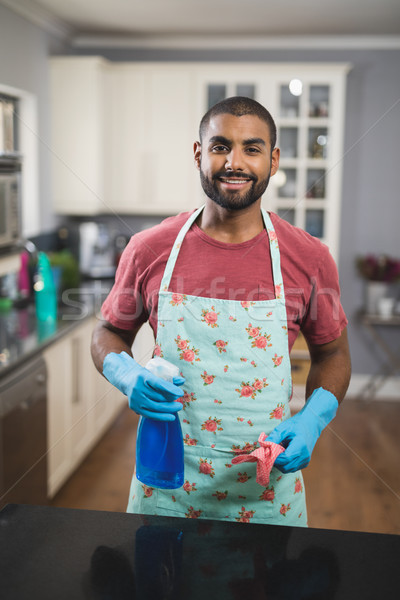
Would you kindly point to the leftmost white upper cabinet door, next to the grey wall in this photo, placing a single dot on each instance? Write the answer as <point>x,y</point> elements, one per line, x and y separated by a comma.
<point>80,91</point>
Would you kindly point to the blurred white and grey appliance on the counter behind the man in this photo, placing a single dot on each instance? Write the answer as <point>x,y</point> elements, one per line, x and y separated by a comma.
<point>96,250</point>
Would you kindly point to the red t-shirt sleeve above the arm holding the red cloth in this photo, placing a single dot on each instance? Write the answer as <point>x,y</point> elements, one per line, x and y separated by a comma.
<point>324,319</point>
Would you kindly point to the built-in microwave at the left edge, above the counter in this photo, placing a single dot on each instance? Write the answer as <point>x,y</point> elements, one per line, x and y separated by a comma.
<point>10,203</point>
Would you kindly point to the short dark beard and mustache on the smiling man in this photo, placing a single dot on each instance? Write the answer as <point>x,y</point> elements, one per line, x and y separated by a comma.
<point>230,199</point>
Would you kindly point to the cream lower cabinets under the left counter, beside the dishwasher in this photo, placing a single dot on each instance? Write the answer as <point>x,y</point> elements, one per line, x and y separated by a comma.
<point>81,403</point>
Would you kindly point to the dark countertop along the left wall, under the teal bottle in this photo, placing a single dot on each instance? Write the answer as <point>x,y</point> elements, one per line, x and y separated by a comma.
<point>22,336</point>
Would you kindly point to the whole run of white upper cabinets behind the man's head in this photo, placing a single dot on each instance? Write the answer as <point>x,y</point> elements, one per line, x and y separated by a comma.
<point>123,135</point>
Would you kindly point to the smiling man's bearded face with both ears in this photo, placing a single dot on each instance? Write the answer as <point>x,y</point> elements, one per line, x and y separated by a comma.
<point>235,160</point>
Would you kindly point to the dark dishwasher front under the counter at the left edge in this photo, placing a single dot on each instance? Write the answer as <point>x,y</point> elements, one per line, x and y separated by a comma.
<point>23,434</point>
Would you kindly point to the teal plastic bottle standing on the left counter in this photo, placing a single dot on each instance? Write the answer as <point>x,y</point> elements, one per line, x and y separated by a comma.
<point>45,291</point>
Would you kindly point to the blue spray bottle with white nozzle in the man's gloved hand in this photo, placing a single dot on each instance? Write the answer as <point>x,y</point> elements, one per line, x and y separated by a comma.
<point>159,445</point>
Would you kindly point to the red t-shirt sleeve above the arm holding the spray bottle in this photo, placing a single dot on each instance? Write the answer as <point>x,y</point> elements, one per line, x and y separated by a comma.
<point>123,307</point>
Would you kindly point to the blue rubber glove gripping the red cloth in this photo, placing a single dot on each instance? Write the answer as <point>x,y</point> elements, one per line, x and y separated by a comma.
<point>299,433</point>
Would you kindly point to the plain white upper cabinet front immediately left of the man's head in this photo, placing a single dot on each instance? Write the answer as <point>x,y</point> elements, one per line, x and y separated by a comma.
<point>153,170</point>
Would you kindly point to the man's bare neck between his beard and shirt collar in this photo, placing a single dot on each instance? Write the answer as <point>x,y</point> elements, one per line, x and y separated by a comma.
<point>231,227</point>
